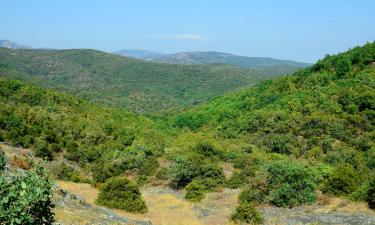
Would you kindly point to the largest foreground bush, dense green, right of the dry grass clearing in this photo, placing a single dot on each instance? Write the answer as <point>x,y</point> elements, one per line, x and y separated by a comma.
<point>283,183</point>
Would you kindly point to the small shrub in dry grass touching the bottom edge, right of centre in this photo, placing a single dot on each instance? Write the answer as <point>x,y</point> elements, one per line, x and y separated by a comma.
<point>247,213</point>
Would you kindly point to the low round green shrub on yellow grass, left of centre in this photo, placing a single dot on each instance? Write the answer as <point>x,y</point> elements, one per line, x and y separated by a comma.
<point>120,193</point>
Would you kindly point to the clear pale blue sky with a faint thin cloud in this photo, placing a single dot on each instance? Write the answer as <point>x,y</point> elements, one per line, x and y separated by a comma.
<point>302,30</point>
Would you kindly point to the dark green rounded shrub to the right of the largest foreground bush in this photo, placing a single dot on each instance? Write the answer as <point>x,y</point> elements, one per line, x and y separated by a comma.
<point>343,181</point>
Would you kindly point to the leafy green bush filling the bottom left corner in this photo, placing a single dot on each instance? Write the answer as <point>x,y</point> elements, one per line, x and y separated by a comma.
<point>25,198</point>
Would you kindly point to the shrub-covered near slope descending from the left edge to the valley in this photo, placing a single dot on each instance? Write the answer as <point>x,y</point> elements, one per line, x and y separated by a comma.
<point>83,132</point>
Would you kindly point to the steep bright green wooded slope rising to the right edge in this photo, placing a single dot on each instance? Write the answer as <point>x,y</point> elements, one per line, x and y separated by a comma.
<point>329,105</point>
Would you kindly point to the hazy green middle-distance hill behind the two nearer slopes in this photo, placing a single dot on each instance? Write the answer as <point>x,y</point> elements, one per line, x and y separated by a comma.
<point>124,82</point>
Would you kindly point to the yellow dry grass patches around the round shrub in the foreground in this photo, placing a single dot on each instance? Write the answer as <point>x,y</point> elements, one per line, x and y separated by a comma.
<point>169,207</point>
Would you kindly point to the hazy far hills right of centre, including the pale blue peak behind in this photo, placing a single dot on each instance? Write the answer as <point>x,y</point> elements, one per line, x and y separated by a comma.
<point>189,58</point>
